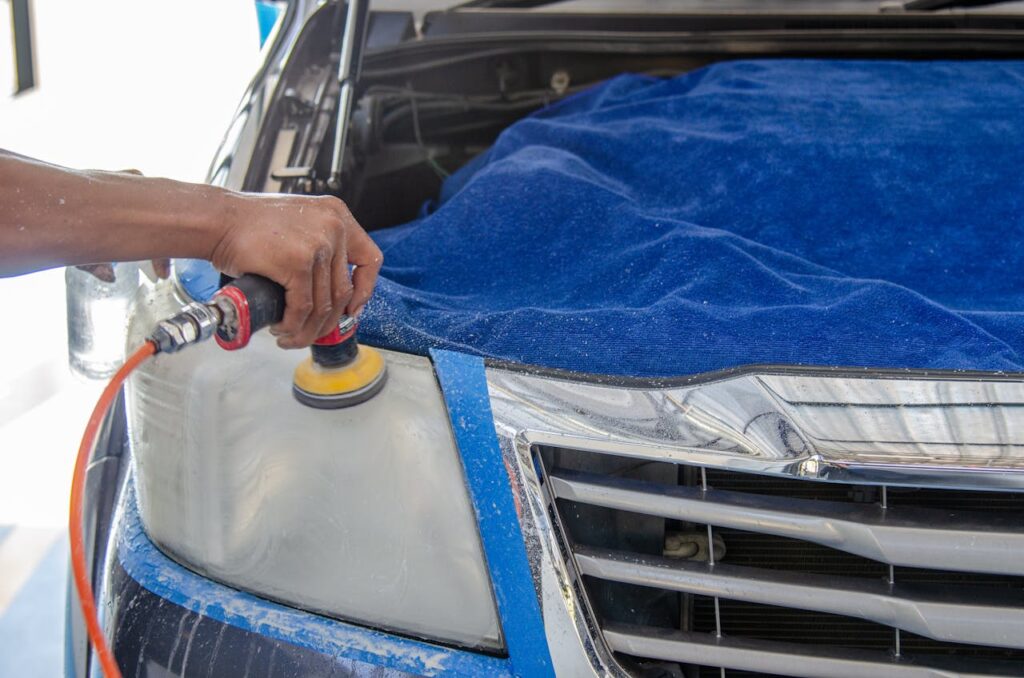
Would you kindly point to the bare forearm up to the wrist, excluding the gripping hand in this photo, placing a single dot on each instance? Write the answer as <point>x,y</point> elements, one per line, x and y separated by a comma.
<point>53,217</point>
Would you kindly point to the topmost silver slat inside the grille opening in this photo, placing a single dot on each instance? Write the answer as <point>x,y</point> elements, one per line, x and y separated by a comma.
<point>897,537</point>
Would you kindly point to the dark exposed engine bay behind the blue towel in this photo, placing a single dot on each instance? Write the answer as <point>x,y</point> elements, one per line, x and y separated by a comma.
<point>433,97</point>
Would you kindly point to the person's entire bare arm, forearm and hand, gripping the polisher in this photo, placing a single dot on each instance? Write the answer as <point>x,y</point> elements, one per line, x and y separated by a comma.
<point>53,217</point>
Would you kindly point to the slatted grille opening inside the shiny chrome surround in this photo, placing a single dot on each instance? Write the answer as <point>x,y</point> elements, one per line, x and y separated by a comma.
<point>817,579</point>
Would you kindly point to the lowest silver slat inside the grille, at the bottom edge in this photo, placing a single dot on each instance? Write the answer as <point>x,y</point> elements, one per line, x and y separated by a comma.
<point>785,659</point>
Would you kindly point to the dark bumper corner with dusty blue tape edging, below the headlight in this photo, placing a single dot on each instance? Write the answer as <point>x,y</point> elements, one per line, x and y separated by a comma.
<point>164,621</point>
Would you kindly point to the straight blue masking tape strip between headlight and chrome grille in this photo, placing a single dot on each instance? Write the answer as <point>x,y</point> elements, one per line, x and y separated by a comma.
<point>464,386</point>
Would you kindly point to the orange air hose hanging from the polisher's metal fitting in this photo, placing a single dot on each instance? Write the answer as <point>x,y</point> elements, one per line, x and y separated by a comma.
<point>75,529</point>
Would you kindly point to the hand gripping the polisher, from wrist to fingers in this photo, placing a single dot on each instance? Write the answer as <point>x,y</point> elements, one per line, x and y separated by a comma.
<point>306,244</point>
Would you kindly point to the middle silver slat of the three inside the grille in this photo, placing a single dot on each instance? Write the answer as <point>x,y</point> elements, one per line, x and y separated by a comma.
<point>923,611</point>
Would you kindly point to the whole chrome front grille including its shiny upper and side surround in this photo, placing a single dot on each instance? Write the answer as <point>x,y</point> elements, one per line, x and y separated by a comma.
<point>830,495</point>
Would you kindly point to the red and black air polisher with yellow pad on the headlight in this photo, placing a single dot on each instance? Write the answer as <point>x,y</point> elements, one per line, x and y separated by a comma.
<point>339,373</point>
